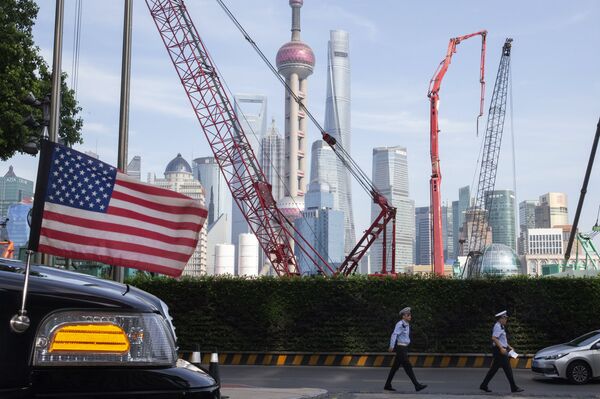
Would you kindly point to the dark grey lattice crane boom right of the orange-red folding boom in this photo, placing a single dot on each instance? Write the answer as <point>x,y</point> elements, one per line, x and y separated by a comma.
<point>489,164</point>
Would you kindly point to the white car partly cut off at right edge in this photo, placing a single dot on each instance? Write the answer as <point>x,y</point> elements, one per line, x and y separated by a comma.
<point>577,360</point>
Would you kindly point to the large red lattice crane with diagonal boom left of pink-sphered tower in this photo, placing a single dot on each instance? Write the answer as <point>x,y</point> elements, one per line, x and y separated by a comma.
<point>236,159</point>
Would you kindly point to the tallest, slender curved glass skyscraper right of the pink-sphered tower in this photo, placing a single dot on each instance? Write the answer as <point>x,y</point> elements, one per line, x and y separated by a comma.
<point>337,124</point>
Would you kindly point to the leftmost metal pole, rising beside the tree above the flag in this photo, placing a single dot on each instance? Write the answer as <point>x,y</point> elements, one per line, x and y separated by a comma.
<point>55,99</point>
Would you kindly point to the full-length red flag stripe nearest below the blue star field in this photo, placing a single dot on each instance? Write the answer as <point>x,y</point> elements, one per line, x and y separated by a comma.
<point>118,228</point>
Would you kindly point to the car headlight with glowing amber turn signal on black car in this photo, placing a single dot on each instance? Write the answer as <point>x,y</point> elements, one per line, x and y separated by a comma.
<point>93,338</point>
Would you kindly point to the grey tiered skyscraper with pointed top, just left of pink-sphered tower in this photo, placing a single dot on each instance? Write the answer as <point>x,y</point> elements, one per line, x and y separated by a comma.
<point>272,159</point>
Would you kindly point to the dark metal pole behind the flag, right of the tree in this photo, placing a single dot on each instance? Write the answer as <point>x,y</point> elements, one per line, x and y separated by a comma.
<point>119,272</point>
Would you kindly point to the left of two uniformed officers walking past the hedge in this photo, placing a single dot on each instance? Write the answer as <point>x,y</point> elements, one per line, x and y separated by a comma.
<point>399,342</point>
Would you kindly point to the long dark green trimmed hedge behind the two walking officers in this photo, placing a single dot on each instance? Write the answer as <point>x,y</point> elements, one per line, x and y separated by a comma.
<point>358,313</point>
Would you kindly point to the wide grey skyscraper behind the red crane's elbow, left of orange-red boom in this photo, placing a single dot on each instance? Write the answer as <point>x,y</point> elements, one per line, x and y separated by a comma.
<point>390,176</point>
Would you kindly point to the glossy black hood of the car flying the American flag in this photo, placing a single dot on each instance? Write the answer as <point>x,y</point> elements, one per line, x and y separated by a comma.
<point>61,288</point>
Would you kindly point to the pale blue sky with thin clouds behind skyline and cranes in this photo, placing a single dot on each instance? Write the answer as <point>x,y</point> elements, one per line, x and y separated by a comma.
<point>395,47</point>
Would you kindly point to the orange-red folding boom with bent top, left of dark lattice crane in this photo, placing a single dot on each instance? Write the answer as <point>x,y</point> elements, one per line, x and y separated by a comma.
<point>436,172</point>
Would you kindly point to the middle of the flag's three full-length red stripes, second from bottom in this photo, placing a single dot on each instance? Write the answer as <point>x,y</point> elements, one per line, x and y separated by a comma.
<point>114,245</point>
